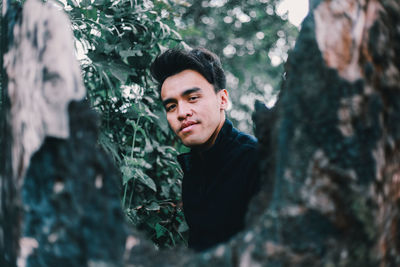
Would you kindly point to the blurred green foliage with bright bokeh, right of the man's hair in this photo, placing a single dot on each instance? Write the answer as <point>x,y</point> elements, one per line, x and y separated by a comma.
<point>252,40</point>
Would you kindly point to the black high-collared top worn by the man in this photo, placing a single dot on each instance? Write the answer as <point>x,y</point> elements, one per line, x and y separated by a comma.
<point>217,186</point>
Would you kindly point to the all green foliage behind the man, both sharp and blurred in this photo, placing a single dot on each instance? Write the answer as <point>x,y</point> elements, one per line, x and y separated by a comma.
<point>116,42</point>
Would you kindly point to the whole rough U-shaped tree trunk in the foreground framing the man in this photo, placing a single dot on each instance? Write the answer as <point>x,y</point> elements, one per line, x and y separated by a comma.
<point>331,172</point>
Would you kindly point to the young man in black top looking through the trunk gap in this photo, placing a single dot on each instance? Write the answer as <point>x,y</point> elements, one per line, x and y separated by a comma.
<point>221,170</point>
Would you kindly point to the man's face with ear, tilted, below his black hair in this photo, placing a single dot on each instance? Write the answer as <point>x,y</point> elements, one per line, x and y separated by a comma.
<point>194,111</point>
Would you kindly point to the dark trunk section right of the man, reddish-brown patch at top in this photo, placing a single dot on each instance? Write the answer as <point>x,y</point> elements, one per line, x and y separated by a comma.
<point>336,141</point>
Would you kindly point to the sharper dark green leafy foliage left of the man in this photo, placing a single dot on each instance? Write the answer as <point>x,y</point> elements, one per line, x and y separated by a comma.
<point>121,39</point>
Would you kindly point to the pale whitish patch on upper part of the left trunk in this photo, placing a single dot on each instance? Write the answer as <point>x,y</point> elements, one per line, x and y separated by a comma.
<point>43,77</point>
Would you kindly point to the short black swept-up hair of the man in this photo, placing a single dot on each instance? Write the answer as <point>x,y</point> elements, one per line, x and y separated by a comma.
<point>174,61</point>
